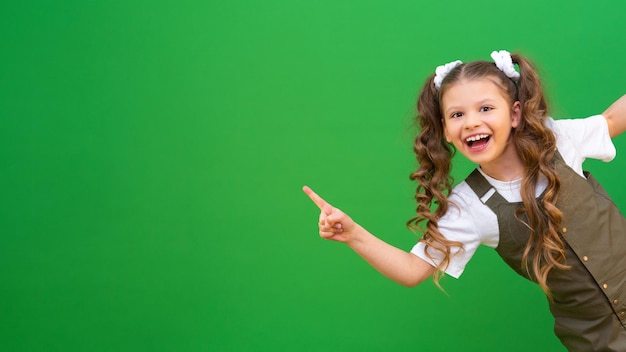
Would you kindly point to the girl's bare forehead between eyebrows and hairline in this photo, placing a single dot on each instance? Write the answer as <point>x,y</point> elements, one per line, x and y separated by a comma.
<point>466,91</point>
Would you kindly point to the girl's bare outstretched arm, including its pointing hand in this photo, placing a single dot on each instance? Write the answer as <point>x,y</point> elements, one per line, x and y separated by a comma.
<point>404,268</point>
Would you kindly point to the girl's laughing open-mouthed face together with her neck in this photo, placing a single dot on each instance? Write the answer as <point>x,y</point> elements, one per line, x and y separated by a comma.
<point>477,120</point>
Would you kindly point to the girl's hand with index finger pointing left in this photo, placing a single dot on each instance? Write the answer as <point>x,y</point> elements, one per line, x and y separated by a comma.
<point>334,224</point>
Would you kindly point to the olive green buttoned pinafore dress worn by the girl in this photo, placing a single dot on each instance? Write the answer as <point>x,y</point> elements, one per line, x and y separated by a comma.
<point>589,304</point>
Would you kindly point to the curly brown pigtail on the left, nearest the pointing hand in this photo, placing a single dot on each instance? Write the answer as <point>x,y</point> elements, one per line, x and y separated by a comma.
<point>434,157</point>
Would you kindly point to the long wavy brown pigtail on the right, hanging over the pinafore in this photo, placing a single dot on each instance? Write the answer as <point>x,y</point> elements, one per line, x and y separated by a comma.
<point>536,146</point>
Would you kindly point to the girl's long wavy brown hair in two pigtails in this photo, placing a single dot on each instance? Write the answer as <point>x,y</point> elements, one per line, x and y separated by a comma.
<point>534,143</point>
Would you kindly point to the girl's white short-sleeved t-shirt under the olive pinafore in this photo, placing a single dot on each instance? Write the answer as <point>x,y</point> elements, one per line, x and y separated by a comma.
<point>473,223</point>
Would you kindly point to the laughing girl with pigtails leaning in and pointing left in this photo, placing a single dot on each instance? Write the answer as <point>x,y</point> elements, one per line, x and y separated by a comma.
<point>529,197</point>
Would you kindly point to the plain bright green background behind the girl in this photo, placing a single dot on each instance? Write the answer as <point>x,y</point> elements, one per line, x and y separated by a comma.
<point>152,155</point>
